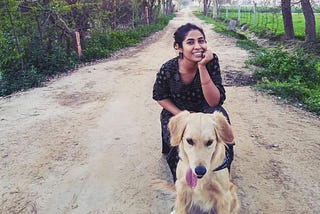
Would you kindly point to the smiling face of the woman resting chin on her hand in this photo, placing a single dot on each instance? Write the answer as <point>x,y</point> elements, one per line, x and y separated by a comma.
<point>193,46</point>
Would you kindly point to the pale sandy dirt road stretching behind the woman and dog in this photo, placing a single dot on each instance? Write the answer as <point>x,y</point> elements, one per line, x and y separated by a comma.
<point>89,142</point>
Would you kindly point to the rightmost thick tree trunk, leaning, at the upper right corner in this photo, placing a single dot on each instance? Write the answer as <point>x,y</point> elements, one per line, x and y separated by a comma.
<point>310,26</point>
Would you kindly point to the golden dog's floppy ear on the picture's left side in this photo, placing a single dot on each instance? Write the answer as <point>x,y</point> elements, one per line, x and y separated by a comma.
<point>177,125</point>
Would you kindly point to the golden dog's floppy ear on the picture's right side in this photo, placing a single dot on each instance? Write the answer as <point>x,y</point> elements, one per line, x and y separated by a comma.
<point>223,128</point>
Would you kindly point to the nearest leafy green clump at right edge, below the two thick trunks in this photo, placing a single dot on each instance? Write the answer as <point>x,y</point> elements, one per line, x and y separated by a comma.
<point>293,76</point>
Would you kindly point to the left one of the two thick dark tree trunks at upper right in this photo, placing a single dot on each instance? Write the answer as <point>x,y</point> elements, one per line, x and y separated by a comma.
<point>287,19</point>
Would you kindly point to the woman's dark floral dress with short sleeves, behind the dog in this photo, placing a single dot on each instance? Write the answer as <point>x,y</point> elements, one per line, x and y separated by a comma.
<point>168,84</point>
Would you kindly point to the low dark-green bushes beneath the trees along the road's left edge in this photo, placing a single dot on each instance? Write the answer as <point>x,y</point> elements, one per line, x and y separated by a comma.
<point>42,58</point>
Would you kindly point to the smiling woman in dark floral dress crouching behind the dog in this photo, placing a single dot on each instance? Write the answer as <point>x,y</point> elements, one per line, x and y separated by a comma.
<point>192,81</point>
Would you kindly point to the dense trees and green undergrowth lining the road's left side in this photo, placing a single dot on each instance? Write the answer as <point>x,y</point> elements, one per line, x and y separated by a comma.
<point>40,39</point>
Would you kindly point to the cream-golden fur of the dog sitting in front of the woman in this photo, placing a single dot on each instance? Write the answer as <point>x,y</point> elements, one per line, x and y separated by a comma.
<point>201,139</point>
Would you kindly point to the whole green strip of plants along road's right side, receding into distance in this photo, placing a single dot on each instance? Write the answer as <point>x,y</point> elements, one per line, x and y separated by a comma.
<point>287,70</point>
